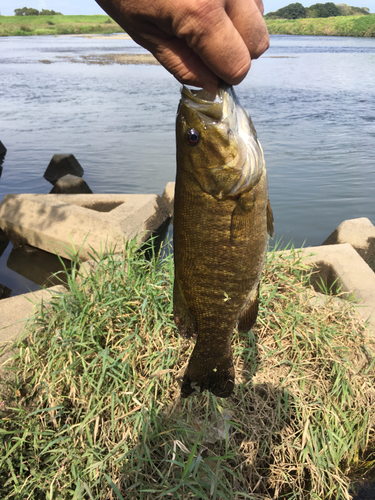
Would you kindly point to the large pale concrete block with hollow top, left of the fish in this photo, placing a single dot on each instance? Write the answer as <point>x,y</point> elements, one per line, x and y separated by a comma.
<point>90,222</point>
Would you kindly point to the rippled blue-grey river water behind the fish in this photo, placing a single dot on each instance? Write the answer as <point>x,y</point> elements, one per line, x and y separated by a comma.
<point>312,100</point>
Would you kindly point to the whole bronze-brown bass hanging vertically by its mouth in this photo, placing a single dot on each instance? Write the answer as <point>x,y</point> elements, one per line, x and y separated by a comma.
<point>222,215</point>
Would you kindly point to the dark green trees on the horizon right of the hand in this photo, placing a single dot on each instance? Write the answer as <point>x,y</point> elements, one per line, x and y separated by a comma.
<point>329,9</point>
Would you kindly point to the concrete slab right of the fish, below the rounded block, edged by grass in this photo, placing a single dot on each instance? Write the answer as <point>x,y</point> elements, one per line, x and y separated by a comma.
<point>342,263</point>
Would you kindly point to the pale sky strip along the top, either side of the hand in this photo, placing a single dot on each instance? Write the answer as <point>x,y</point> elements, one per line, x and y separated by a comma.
<point>91,7</point>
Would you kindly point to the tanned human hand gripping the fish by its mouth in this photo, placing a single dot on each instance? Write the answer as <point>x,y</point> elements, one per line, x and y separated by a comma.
<point>198,41</point>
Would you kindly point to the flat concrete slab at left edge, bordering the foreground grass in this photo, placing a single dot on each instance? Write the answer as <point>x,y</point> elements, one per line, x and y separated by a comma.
<point>15,312</point>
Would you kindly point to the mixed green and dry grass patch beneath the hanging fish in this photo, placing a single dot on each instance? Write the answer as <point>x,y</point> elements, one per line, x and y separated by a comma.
<point>93,408</point>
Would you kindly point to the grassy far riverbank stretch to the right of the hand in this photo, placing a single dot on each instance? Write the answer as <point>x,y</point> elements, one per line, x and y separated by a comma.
<point>363,26</point>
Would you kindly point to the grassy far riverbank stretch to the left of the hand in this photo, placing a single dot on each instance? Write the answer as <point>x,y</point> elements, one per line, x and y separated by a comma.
<point>56,25</point>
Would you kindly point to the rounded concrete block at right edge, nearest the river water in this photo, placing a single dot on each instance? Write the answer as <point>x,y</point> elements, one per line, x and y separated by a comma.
<point>360,233</point>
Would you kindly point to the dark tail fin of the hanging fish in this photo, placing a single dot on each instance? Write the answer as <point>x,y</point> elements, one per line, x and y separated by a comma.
<point>215,374</point>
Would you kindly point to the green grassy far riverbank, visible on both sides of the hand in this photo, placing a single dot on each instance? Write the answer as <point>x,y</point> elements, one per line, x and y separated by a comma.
<point>361,26</point>
